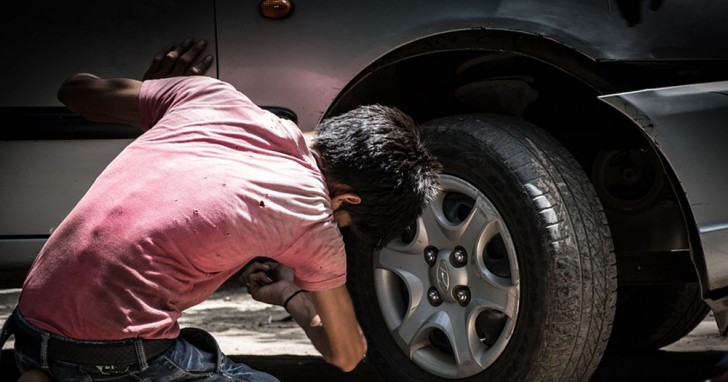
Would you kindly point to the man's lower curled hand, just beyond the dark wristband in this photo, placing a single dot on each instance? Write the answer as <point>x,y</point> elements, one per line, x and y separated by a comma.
<point>269,282</point>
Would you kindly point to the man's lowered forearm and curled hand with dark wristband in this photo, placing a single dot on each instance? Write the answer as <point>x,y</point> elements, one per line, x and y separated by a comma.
<point>327,316</point>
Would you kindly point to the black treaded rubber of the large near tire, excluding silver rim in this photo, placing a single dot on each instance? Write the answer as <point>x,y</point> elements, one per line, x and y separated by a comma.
<point>562,242</point>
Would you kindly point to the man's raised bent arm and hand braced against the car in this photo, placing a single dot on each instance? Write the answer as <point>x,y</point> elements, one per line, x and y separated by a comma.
<point>116,100</point>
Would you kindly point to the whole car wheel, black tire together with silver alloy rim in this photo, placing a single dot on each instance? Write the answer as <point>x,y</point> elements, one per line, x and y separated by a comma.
<point>519,228</point>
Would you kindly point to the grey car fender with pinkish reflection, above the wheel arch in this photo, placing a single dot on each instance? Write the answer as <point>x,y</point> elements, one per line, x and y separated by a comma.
<point>328,44</point>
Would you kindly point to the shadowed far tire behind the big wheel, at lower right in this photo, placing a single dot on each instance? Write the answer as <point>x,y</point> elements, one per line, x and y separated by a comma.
<point>653,316</point>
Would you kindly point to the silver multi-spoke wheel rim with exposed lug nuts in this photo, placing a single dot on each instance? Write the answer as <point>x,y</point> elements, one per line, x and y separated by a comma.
<point>449,288</point>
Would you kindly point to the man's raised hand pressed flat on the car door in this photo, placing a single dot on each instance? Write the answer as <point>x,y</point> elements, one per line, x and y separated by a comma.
<point>180,60</point>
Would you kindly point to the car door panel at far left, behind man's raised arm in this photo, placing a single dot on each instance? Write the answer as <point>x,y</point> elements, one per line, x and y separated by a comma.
<point>46,165</point>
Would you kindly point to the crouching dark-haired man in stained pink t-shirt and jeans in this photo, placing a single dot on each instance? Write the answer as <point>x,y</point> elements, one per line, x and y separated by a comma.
<point>212,184</point>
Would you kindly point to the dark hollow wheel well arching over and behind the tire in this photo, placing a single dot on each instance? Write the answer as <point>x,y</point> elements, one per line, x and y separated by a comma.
<point>555,88</point>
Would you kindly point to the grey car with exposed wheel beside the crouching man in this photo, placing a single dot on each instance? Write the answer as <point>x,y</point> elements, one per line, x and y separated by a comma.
<point>583,208</point>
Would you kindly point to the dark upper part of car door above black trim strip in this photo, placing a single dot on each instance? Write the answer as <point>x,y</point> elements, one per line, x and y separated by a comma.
<point>50,41</point>
